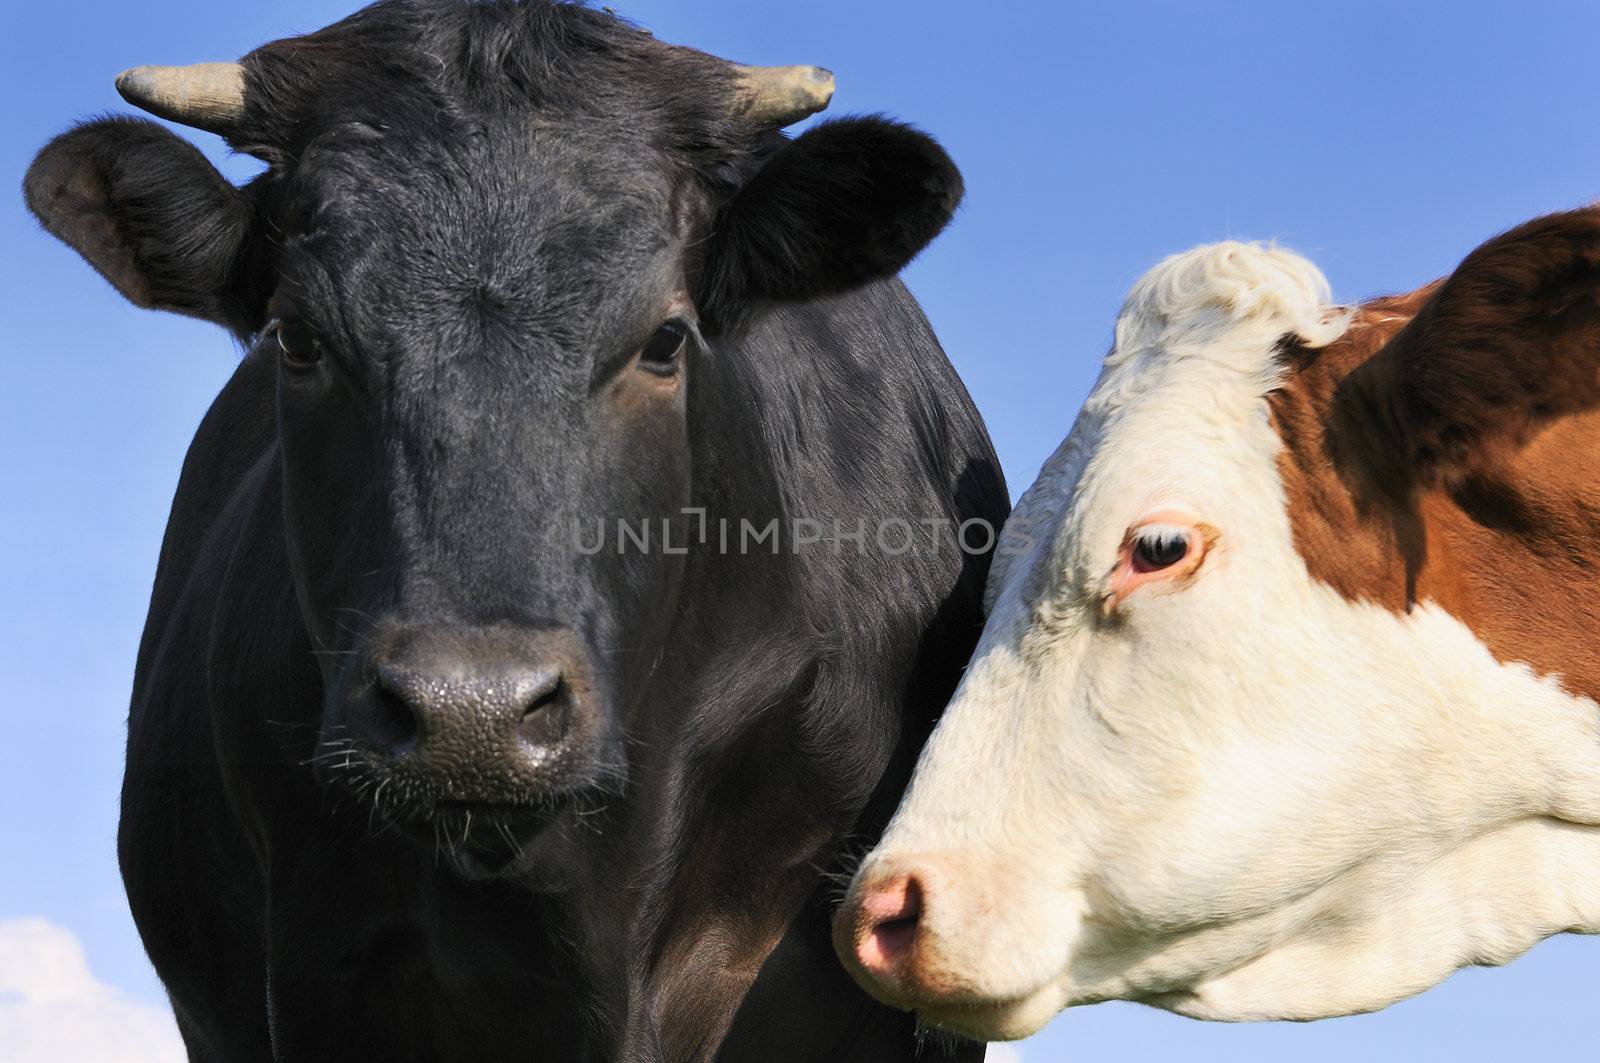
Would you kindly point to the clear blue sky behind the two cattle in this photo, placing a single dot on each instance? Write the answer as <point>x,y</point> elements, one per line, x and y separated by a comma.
<point>1382,140</point>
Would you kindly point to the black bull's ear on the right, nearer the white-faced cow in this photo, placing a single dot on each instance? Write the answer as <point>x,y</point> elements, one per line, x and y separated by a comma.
<point>844,204</point>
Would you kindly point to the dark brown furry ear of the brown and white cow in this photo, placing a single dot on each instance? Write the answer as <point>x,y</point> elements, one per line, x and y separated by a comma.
<point>1508,343</point>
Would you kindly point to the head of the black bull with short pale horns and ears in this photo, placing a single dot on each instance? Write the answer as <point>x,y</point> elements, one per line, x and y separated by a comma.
<point>490,287</point>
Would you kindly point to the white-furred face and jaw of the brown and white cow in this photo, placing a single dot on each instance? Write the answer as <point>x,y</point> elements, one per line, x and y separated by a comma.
<point>1249,798</point>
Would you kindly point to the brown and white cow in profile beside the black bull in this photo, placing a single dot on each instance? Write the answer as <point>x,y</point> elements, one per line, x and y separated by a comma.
<point>1287,702</point>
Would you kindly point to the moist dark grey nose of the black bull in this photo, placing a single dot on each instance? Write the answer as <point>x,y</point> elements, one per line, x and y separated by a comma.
<point>473,705</point>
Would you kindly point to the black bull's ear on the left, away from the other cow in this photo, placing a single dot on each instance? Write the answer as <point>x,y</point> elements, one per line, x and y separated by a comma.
<point>148,211</point>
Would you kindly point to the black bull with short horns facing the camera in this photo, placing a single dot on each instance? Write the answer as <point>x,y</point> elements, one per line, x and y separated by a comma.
<point>430,756</point>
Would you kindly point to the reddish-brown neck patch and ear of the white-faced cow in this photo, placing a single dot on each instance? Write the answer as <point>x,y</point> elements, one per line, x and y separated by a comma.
<point>1447,449</point>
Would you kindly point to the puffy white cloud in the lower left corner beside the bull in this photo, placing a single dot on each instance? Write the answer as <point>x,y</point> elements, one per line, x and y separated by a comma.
<point>54,1009</point>
